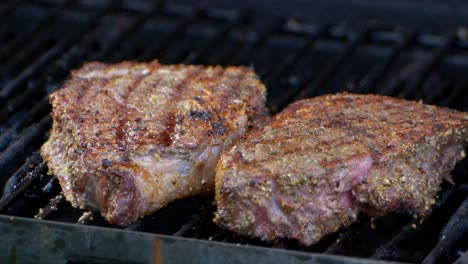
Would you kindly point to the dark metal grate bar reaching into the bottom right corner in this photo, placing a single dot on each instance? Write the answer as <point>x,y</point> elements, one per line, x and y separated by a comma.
<point>455,228</point>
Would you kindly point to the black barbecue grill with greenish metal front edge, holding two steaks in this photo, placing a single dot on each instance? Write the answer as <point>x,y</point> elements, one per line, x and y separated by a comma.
<point>405,49</point>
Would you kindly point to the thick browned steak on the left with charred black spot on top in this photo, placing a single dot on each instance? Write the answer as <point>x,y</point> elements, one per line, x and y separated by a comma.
<point>129,138</point>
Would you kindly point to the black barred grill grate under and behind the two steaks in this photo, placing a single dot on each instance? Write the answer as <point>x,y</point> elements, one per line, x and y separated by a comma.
<point>41,41</point>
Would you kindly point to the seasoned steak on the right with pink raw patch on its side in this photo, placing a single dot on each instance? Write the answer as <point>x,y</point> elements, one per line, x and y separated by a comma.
<point>322,161</point>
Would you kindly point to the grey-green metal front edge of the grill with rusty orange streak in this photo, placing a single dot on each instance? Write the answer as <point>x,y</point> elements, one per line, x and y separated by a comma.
<point>25,240</point>
